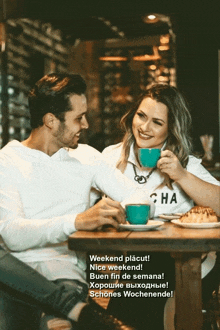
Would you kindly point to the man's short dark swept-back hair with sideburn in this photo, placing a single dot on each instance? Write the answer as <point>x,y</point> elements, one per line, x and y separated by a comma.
<point>51,94</point>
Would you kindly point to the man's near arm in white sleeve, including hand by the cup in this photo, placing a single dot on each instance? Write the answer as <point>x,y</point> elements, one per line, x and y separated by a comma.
<point>20,233</point>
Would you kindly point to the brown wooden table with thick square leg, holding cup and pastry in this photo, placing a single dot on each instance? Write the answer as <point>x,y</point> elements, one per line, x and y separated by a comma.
<point>185,245</point>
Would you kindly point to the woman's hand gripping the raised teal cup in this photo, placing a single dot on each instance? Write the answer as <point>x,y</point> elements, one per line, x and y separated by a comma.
<point>169,164</point>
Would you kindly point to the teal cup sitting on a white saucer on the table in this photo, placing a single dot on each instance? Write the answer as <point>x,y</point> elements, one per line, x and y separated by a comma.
<point>137,214</point>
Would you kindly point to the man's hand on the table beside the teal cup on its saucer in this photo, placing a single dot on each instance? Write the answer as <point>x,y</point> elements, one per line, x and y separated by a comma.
<point>105,212</point>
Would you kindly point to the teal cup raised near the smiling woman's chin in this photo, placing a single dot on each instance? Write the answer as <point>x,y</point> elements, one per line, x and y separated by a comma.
<point>148,157</point>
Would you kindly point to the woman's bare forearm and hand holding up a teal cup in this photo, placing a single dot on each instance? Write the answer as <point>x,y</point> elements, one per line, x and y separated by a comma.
<point>201,192</point>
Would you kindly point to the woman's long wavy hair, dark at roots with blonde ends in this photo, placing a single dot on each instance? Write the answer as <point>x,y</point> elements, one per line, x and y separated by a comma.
<point>179,125</point>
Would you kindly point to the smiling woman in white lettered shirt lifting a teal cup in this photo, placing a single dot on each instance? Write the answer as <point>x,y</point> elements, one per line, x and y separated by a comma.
<point>162,120</point>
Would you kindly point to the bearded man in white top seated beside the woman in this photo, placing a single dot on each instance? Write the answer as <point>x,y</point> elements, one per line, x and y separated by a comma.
<point>45,191</point>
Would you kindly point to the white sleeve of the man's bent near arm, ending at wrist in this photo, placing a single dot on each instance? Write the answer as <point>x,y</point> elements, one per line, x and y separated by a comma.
<point>20,233</point>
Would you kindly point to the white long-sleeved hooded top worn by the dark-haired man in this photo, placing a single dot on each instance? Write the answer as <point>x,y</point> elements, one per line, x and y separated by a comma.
<point>40,197</point>
